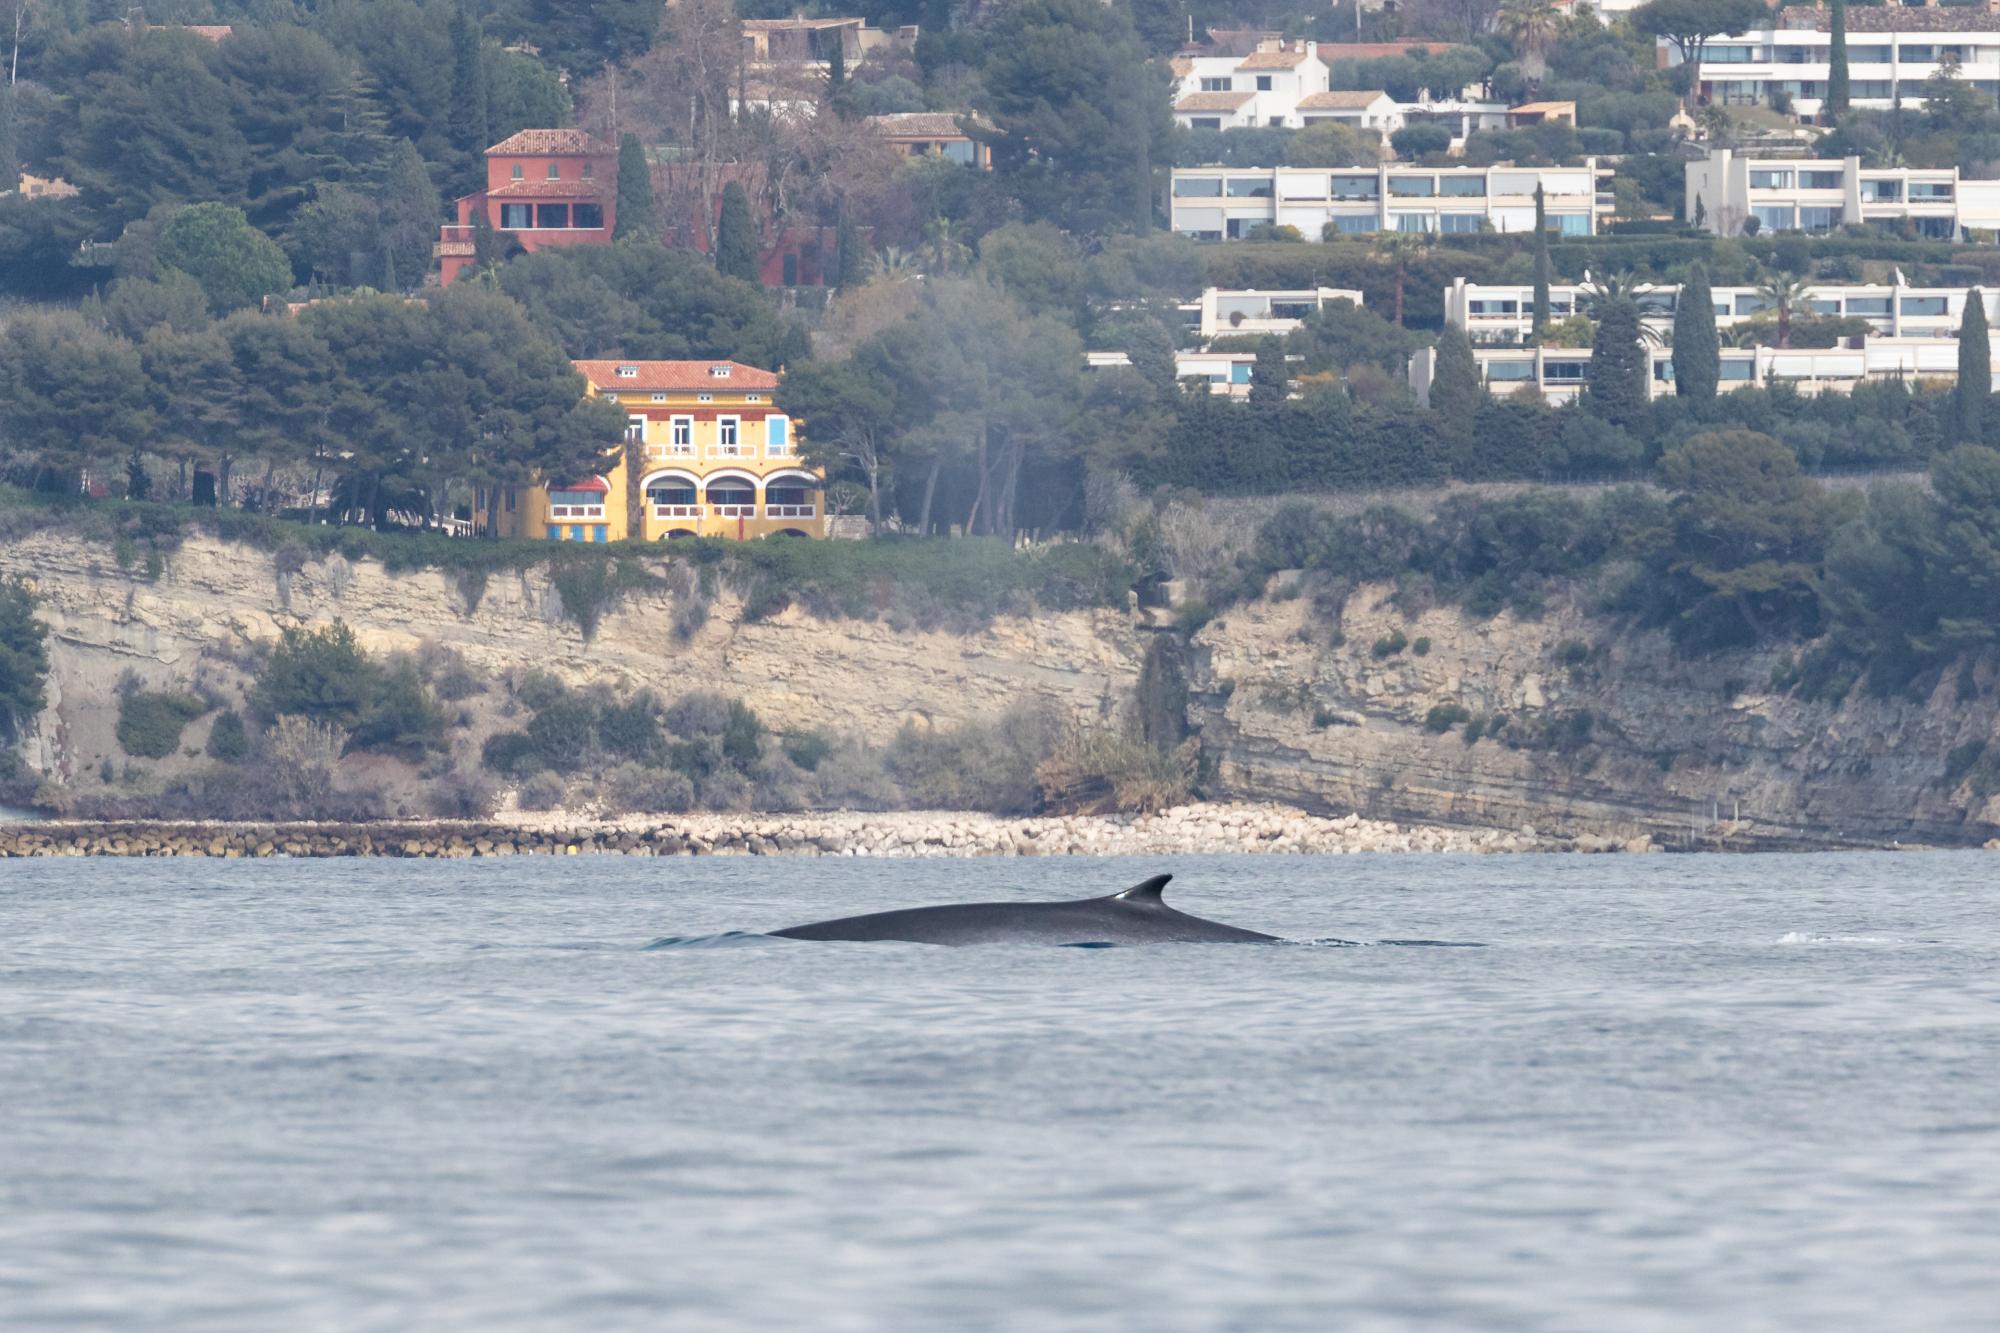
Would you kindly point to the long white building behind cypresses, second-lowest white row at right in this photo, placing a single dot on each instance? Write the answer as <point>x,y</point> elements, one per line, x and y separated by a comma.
<point>1503,313</point>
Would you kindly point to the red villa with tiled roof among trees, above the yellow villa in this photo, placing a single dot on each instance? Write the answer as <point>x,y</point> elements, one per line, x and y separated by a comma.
<point>543,189</point>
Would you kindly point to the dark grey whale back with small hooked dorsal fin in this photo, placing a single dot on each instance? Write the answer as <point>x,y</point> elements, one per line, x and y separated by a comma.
<point>1133,918</point>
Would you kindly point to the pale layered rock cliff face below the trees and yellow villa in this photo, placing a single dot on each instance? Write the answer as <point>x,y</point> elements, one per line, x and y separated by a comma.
<point>1627,742</point>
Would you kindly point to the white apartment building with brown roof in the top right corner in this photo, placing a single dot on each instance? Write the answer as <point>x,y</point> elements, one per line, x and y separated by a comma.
<point>1891,53</point>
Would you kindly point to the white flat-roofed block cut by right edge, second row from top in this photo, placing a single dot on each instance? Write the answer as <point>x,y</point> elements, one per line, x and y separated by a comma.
<point>1817,195</point>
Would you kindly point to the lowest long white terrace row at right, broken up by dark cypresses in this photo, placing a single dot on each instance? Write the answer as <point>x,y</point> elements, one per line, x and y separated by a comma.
<point>1559,373</point>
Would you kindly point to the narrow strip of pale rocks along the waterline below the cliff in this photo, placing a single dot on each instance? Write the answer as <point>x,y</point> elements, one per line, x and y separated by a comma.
<point>847,834</point>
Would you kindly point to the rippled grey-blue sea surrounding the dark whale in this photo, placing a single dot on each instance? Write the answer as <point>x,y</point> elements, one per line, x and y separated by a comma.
<point>1607,1094</point>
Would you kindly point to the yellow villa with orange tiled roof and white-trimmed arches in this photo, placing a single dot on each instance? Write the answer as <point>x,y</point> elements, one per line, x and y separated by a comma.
<point>717,459</point>
